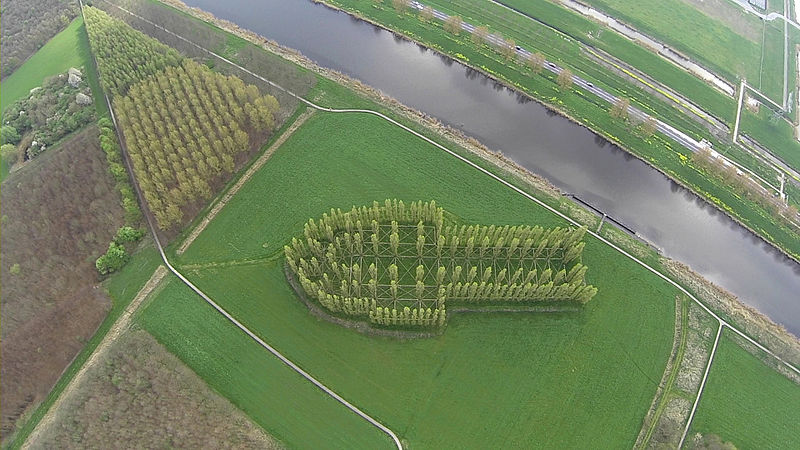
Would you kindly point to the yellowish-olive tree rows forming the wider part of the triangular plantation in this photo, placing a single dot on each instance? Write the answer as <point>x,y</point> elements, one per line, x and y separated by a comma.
<point>184,128</point>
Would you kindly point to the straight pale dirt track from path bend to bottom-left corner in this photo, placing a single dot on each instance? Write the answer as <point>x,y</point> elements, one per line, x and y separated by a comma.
<point>119,327</point>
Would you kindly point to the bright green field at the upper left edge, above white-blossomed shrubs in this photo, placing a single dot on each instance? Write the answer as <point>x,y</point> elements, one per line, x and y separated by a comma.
<point>68,48</point>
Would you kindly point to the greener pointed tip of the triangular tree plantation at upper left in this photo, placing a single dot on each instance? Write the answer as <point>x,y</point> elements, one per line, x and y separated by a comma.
<point>124,55</point>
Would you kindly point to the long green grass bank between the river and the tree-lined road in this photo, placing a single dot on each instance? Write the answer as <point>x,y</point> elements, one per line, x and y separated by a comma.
<point>587,109</point>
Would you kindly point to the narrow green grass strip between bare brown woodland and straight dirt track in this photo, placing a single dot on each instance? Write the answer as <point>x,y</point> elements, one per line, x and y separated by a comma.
<point>122,288</point>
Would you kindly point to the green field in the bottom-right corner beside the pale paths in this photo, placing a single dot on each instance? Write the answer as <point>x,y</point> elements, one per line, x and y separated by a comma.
<point>748,403</point>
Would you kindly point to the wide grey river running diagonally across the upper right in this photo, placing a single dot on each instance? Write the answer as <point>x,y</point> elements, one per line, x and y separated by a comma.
<point>571,157</point>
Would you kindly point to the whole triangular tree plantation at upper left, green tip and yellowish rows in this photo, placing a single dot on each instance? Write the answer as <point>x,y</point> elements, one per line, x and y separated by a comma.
<point>186,127</point>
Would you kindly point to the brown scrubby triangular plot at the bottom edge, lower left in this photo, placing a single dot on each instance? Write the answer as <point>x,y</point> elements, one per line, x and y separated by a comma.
<point>138,392</point>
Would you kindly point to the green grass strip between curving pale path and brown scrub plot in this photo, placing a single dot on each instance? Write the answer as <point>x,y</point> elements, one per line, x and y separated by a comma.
<point>275,397</point>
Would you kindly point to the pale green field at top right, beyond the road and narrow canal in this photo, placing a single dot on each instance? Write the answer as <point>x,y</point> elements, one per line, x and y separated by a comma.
<point>715,43</point>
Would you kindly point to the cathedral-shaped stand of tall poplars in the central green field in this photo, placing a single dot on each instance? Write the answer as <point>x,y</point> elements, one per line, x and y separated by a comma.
<point>397,265</point>
